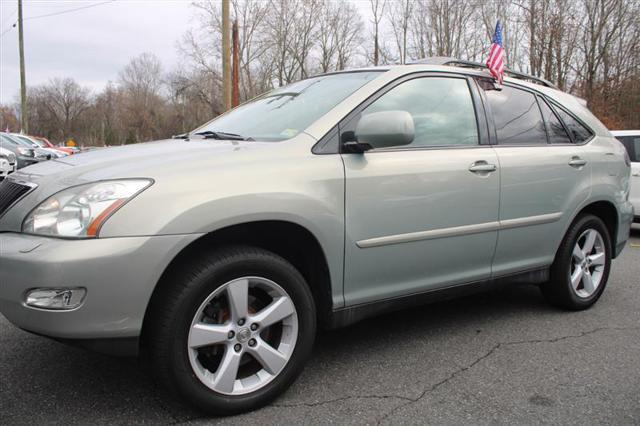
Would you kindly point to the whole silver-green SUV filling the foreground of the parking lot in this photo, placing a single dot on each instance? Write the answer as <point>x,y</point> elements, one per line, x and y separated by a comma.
<point>216,256</point>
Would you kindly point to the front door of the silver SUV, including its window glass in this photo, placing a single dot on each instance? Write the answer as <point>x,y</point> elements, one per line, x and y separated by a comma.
<point>421,216</point>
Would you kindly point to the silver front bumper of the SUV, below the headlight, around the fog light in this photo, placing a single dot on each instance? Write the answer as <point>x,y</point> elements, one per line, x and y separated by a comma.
<point>119,274</point>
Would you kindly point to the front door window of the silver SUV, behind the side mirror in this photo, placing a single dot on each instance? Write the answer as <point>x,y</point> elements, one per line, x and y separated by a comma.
<point>441,107</point>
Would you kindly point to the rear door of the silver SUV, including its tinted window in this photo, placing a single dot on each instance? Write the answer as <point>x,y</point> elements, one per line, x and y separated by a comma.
<point>545,176</point>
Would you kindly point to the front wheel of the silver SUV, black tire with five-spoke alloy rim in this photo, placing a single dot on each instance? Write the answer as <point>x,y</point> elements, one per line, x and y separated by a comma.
<point>195,304</point>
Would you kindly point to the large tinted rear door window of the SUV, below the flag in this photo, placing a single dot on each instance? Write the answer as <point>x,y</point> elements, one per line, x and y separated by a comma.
<point>517,117</point>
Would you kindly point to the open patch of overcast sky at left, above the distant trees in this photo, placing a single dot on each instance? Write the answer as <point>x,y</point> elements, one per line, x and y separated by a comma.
<point>90,45</point>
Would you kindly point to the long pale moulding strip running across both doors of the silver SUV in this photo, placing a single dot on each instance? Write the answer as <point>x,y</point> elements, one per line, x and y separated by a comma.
<point>457,231</point>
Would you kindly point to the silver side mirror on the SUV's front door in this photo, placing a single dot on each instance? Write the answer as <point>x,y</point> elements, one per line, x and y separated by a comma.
<point>385,129</point>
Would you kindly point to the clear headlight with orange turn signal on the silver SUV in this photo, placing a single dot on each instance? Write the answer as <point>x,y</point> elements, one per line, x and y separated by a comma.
<point>80,211</point>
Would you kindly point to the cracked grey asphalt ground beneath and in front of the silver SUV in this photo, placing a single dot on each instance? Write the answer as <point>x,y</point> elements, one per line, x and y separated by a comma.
<point>502,357</point>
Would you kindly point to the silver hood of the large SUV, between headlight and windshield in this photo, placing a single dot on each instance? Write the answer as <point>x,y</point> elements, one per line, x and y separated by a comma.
<point>151,159</point>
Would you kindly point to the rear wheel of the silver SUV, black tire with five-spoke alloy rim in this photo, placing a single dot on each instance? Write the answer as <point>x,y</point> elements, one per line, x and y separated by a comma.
<point>578,294</point>
